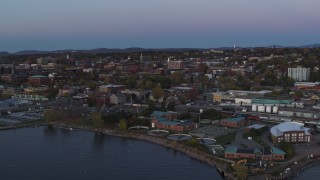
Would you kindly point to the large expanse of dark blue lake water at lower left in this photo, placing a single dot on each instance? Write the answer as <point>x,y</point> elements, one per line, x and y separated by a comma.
<point>55,153</point>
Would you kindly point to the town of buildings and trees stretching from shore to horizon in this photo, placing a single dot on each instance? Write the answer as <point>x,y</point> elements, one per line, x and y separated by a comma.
<point>257,110</point>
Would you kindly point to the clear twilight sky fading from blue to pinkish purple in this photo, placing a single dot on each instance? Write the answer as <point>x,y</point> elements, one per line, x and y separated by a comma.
<point>88,24</point>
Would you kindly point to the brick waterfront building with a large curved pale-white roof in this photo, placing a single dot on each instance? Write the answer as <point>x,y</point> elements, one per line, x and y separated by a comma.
<point>290,132</point>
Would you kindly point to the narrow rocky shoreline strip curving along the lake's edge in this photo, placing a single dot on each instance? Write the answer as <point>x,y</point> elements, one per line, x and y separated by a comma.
<point>189,151</point>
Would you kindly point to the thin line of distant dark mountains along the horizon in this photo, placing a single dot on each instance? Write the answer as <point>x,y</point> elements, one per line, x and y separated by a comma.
<point>137,49</point>
